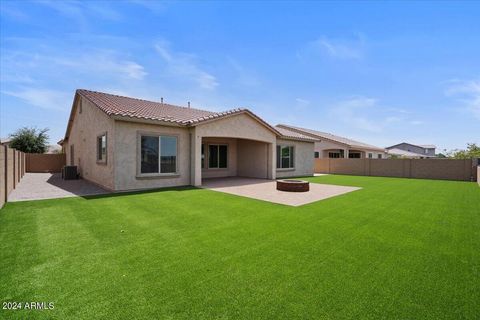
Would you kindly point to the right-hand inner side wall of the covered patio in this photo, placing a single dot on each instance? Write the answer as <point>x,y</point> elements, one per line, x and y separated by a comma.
<point>253,159</point>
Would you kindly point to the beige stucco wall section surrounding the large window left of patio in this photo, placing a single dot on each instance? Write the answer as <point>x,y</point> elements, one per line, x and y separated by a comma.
<point>126,160</point>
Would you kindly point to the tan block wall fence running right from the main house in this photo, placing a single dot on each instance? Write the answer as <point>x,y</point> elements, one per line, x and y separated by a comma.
<point>441,169</point>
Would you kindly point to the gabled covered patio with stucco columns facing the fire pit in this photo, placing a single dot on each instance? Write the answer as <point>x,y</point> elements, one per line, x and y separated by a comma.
<point>240,145</point>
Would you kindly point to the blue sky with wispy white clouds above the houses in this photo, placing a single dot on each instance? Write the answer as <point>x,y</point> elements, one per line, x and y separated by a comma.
<point>379,72</point>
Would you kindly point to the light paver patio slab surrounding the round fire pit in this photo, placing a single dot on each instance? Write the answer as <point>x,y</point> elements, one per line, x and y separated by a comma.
<point>265,190</point>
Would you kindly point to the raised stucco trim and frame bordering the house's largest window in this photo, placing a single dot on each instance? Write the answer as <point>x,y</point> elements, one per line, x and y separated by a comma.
<point>139,174</point>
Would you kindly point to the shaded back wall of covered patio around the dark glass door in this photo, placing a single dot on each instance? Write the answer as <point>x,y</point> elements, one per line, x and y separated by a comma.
<point>231,169</point>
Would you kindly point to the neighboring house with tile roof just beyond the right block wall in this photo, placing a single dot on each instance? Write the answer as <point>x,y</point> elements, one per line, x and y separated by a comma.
<point>328,145</point>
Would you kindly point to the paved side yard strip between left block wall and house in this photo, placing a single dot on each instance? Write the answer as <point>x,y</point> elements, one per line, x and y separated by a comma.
<point>36,186</point>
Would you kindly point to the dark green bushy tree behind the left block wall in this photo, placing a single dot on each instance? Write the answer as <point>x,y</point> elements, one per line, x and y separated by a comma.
<point>30,140</point>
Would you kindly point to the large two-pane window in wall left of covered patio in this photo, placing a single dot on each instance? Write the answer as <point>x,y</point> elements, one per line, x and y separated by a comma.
<point>158,154</point>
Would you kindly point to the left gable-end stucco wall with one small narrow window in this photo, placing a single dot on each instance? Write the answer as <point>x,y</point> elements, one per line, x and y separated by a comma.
<point>87,125</point>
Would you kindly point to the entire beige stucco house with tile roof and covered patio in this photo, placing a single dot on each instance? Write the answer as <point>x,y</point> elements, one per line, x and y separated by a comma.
<point>124,143</point>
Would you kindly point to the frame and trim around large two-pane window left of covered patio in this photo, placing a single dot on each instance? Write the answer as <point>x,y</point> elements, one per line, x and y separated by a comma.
<point>158,174</point>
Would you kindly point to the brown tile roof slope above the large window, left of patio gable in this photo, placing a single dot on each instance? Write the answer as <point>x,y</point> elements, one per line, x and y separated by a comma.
<point>115,105</point>
